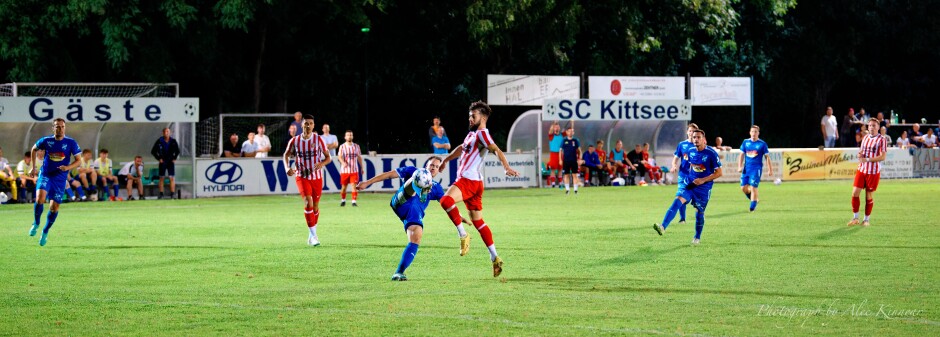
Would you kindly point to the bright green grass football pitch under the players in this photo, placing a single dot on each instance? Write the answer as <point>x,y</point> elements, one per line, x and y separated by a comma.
<point>575,265</point>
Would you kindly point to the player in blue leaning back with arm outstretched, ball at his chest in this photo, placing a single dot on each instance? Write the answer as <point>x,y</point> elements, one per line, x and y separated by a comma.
<point>409,204</point>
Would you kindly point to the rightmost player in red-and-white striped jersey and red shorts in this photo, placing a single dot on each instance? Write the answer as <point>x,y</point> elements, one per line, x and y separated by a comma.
<point>871,153</point>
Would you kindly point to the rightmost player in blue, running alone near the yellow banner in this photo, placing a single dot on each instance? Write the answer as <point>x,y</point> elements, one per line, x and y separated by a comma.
<point>751,168</point>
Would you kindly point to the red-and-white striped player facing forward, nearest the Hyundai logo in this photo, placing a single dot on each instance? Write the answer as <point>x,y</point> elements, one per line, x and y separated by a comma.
<point>310,156</point>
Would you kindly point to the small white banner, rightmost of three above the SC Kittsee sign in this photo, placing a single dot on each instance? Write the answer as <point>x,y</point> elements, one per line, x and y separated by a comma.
<point>721,91</point>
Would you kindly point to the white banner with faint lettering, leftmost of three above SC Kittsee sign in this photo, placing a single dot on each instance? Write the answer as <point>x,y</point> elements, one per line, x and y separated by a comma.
<point>530,90</point>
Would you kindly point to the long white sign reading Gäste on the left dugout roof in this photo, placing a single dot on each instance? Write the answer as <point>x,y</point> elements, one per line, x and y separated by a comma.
<point>99,109</point>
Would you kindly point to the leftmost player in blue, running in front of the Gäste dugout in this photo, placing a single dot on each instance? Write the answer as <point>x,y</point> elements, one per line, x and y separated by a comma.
<point>53,175</point>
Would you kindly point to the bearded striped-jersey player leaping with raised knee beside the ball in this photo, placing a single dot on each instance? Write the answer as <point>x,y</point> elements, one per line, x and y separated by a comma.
<point>469,185</point>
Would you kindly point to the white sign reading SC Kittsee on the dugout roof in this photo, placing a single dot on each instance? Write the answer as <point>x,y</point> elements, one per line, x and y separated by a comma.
<point>616,110</point>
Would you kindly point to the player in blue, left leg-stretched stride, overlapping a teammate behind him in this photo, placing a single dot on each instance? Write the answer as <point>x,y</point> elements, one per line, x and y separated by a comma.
<point>704,167</point>
